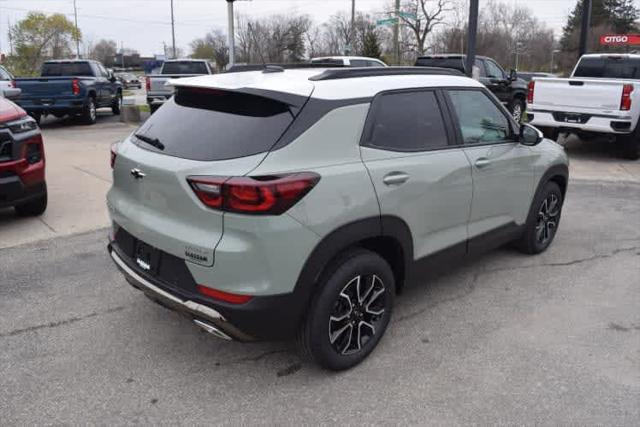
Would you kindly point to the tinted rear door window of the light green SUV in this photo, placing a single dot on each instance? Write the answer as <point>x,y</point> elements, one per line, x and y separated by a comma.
<point>407,121</point>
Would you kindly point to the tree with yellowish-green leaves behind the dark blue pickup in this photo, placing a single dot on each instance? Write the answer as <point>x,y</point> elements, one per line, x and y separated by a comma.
<point>39,37</point>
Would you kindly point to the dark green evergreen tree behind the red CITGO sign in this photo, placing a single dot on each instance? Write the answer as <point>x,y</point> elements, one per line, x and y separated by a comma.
<point>607,16</point>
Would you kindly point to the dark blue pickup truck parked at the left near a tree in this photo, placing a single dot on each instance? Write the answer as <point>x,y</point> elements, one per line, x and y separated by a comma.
<point>70,87</point>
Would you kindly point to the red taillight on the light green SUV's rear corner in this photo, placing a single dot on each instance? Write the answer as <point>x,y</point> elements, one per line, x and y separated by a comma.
<point>270,195</point>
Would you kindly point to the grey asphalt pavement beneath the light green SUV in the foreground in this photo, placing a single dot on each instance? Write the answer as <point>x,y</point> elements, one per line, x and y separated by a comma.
<point>509,339</point>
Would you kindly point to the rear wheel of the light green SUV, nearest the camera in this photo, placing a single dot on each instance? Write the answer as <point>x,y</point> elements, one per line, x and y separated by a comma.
<point>327,334</point>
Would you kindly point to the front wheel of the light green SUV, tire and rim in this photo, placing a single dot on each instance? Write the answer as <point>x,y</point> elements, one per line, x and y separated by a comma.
<point>543,220</point>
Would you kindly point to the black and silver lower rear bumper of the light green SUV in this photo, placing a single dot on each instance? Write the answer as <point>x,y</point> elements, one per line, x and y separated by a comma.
<point>262,318</point>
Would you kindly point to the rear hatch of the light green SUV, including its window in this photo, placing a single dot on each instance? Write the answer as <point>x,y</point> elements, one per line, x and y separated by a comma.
<point>199,132</point>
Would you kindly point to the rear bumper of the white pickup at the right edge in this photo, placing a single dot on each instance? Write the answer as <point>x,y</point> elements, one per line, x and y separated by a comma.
<point>612,124</point>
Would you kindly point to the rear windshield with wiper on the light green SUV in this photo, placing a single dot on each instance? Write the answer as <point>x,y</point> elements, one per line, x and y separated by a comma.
<point>203,124</point>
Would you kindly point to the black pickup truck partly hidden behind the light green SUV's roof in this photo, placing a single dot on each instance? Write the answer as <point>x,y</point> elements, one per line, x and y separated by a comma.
<point>508,88</point>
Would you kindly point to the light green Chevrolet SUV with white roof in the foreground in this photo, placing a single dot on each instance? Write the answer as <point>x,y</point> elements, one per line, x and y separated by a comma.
<point>280,203</point>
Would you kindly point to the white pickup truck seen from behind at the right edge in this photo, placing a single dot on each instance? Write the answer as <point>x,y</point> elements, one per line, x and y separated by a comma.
<point>602,96</point>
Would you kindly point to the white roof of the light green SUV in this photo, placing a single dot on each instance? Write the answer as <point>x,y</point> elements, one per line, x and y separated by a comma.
<point>296,82</point>
